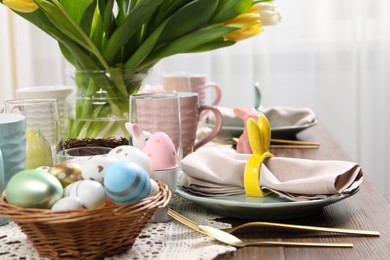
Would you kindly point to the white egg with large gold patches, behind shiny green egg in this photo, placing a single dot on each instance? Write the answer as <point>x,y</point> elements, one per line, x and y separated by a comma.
<point>66,172</point>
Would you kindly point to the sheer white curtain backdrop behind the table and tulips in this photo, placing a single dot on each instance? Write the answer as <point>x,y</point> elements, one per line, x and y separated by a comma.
<point>332,56</point>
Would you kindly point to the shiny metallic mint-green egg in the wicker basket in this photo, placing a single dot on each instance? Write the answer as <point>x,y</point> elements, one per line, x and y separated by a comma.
<point>34,189</point>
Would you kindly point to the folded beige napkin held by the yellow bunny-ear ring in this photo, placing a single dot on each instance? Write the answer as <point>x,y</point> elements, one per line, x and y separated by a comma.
<point>218,171</point>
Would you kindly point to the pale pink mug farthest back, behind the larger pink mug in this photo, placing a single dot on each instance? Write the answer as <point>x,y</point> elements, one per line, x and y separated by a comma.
<point>193,83</point>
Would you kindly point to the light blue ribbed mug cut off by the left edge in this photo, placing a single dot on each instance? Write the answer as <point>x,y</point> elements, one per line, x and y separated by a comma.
<point>12,148</point>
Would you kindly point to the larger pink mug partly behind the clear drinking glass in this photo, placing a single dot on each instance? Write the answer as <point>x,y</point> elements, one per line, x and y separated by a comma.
<point>176,114</point>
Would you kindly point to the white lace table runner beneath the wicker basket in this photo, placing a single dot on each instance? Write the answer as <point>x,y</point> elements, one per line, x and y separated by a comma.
<point>170,240</point>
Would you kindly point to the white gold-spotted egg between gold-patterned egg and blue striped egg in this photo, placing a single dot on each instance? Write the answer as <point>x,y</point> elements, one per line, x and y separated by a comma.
<point>95,168</point>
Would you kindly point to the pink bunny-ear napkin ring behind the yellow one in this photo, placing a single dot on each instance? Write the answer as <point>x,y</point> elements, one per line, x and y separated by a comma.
<point>243,145</point>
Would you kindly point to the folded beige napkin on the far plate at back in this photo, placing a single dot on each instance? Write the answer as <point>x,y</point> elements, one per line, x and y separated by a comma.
<point>277,116</point>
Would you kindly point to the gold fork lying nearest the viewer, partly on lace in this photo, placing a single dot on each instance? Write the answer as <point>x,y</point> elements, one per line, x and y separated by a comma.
<point>234,241</point>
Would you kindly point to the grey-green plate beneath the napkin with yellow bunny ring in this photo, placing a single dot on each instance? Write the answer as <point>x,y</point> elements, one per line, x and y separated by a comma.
<point>269,208</point>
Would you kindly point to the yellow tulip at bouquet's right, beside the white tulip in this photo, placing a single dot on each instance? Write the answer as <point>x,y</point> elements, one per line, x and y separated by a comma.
<point>249,24</point>
